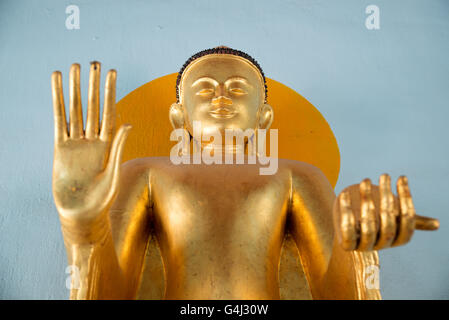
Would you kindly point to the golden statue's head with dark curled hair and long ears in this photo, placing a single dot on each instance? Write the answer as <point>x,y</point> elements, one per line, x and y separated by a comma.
<point>222,88</point>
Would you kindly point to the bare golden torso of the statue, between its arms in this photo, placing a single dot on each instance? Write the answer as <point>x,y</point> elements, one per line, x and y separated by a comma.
<point>219,229</point>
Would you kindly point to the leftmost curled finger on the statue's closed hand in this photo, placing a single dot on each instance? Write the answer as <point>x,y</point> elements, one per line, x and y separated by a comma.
<point>347,224</point>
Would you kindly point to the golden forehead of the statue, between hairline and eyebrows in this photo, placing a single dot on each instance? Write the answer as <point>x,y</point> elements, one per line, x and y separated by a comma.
<point>220,67</point>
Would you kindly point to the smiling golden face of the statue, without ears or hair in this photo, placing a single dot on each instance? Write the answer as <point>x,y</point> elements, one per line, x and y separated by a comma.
<point>222,92</point>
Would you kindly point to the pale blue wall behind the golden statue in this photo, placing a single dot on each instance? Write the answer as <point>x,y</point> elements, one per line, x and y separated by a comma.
<point>385,94</point>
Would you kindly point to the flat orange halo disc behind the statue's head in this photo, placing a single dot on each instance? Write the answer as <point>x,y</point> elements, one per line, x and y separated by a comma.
<point>304,134</point>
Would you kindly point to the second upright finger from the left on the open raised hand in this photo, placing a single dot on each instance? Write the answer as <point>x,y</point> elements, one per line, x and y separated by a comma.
<point>76,112</point>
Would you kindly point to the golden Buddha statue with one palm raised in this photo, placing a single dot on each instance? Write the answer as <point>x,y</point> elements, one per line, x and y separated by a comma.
<point>219,228</point>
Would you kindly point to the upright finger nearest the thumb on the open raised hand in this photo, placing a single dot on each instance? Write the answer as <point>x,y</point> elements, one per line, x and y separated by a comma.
<point>108,121</point>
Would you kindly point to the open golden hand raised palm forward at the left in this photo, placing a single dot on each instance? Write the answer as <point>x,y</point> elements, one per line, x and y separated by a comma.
<point>86,162</point>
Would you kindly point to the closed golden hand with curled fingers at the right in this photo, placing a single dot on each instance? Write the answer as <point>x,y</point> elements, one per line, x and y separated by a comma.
<point>368,217</point>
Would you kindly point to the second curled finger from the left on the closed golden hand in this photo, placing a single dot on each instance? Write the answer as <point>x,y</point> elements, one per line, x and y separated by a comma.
<point>368,220</point>
